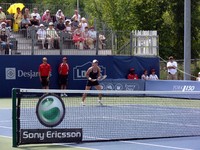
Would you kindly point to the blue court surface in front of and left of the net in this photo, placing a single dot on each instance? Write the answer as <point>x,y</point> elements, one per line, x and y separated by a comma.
<point>183,143</point>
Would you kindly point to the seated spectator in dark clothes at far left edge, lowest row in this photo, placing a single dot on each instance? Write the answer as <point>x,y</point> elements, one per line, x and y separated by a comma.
<point>5,43</point>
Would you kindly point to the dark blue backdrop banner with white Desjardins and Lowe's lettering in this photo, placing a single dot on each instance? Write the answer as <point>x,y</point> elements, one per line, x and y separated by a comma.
<point>22,71</point>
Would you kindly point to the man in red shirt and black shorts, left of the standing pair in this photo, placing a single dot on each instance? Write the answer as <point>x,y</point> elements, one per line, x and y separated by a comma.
<point>44,73</point>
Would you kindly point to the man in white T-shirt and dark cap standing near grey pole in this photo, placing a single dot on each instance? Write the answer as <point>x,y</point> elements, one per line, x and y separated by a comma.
<point>172,69</point>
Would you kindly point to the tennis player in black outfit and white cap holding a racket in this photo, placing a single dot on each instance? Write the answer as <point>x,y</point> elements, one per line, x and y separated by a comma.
<point>93,74</point>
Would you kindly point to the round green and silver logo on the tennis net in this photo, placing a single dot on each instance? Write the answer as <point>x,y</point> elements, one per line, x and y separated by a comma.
<point>50,110</point>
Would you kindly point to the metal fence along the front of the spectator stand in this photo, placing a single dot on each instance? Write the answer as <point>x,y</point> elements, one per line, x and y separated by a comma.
<point>115,43</point>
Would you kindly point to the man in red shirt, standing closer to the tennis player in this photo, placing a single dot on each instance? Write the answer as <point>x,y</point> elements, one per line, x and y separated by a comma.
<point>63,71</point>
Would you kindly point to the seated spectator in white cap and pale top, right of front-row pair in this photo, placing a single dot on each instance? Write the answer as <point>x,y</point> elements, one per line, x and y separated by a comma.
<point>52,36</point>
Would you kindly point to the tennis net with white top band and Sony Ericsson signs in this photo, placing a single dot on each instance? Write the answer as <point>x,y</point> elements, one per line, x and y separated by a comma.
<point>43,116</point>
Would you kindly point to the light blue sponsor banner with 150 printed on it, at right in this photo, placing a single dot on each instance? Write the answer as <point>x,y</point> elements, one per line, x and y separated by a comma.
<point>173,85</point>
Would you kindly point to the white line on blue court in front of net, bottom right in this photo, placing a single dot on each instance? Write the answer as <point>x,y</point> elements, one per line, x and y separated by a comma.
<point>155,145</point>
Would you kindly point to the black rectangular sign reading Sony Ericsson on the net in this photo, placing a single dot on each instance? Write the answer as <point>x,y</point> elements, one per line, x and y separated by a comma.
<point>37,136</point>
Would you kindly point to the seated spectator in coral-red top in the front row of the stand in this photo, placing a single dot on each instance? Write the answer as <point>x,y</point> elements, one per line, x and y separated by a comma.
<point>78,38</point>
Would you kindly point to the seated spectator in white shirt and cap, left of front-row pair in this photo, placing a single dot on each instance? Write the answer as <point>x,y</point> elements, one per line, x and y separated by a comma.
<point>42,35</point>
